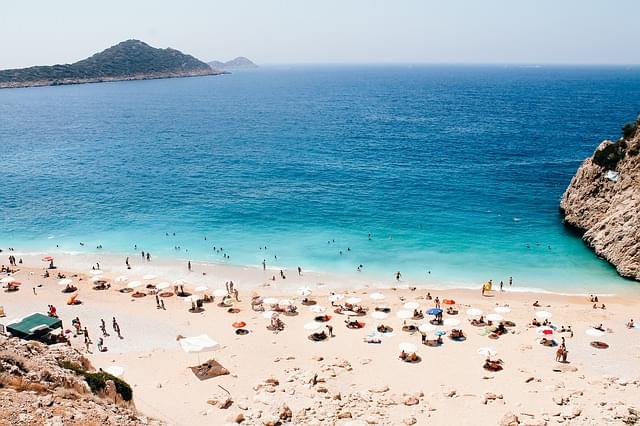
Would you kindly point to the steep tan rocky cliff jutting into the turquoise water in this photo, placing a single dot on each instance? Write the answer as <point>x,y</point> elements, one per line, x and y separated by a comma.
<point>603,202</point>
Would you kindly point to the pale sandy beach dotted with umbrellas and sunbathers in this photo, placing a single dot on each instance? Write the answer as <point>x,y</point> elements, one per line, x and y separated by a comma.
<point>343,380</point>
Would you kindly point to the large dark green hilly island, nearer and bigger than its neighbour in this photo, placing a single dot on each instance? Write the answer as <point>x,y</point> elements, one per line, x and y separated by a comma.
<point>128,60</point>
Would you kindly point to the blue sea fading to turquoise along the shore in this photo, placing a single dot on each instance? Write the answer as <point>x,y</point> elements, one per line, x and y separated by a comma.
<point>458,170</point>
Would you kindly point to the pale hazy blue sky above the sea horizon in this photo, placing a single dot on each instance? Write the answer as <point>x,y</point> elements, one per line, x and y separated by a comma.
<point>45,32</point>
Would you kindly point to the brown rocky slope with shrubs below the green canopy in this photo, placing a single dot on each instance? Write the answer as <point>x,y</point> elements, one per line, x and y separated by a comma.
<point>37,389</point>
